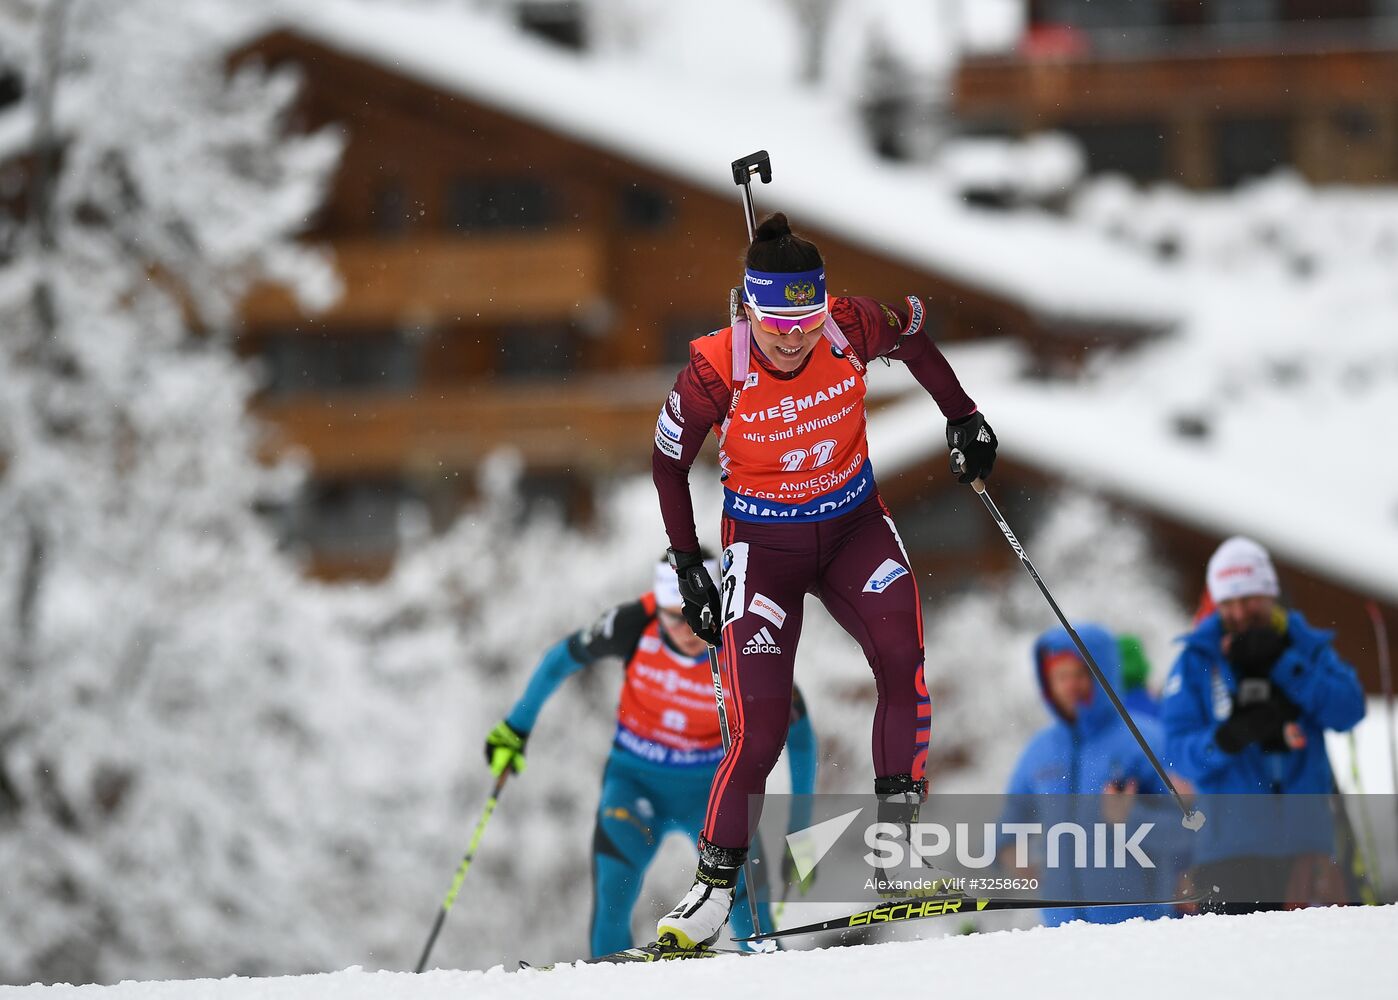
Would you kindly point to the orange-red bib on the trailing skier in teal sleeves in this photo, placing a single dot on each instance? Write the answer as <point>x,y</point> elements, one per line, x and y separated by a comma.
<point>668,713</point>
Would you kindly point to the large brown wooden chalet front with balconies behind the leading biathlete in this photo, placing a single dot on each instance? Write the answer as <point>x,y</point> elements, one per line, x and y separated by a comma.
<point>508,286</point>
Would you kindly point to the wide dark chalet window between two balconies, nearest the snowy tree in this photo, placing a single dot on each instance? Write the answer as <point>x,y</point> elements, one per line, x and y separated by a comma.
<point>305,363</point>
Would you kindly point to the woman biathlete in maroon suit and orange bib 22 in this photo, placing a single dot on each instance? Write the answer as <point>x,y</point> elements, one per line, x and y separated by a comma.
<point>784,388</point>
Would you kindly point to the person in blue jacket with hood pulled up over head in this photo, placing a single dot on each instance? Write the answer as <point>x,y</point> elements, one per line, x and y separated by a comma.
<point>1088,750</point>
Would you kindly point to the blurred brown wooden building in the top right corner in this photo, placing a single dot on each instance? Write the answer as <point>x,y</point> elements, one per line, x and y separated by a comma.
<point>1206,93</point>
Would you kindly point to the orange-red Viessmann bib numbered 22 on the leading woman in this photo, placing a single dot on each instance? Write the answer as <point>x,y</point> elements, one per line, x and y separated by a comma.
<point>796,450</point>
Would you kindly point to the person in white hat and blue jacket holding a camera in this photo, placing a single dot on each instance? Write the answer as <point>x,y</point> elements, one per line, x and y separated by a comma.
<point>1246,710</point>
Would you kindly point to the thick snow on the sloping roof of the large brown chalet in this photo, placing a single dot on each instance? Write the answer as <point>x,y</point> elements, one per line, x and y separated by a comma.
<point>824,173</point>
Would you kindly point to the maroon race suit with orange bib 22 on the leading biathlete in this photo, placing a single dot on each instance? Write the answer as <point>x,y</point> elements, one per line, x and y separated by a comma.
<point>821,531</point>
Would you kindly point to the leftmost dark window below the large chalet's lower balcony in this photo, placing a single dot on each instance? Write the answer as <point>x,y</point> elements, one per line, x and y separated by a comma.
<point>352,517</point>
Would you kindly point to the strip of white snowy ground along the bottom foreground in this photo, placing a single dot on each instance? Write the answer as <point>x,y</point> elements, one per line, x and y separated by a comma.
<point>1320,953</point>
